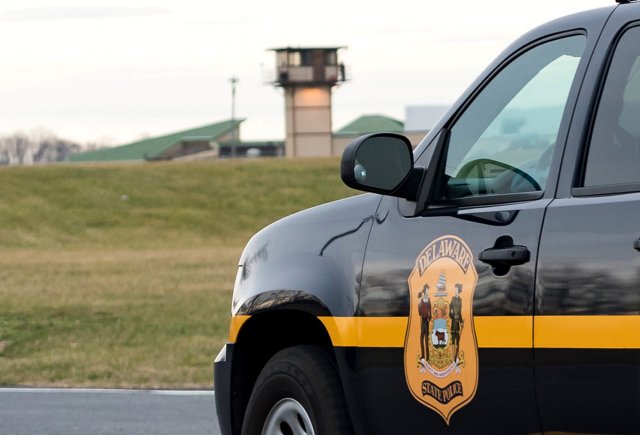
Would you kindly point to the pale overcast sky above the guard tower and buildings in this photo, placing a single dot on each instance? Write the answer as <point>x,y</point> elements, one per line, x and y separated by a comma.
<point>115,71</point>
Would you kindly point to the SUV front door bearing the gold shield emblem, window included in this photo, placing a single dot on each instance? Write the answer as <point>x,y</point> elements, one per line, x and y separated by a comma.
<point>456,279</point>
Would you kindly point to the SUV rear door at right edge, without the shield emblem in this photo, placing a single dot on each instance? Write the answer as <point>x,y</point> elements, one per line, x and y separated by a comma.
<point>587,324</point>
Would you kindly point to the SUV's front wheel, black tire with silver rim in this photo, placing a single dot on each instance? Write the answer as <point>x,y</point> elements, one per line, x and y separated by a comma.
<point>299,385</point>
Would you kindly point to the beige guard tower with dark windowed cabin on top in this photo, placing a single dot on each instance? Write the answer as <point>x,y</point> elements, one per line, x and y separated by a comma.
<point>307,76</point>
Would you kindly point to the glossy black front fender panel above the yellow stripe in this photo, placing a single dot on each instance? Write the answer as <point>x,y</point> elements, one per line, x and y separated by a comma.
<point>311,260</point>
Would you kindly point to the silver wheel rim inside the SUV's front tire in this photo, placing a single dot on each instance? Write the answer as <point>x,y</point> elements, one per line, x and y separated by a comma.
<point>288,417</point>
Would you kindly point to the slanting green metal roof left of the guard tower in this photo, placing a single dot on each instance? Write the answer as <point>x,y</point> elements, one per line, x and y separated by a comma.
<point>153,147</point>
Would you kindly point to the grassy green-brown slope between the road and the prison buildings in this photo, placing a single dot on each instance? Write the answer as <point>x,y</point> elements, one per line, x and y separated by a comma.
<point>121,276</point>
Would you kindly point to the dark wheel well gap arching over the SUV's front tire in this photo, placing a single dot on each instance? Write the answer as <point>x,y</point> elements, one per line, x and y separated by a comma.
<point>261,337</point>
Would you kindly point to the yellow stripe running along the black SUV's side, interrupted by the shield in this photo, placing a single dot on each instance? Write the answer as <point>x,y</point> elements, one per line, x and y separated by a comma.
<point>511,332</point>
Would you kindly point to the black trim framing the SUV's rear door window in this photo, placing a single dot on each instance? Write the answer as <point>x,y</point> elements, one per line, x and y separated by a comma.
<point>579,189</point>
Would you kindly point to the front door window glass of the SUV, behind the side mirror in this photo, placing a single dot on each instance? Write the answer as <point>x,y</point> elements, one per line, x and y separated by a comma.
<point>504,140</point>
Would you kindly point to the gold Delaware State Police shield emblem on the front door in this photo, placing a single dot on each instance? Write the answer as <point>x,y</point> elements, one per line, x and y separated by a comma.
<point>440,348</point>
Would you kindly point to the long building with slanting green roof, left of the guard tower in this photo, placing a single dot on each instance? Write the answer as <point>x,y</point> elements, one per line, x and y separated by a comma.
<point>171,146</point>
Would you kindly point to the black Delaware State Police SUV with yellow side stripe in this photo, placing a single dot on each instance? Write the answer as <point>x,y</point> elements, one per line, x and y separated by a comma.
<point>490,280</point>
